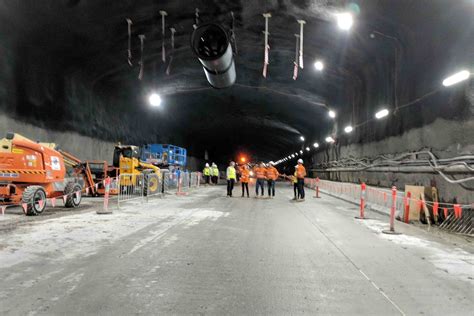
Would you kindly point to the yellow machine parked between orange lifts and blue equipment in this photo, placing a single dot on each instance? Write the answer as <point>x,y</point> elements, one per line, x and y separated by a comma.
<point>127,160</point>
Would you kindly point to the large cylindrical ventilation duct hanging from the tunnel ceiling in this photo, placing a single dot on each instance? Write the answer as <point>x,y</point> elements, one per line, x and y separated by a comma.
<point>211,45</point>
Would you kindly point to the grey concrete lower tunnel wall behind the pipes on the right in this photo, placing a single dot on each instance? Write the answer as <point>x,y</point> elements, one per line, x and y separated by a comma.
<point>444,138</point>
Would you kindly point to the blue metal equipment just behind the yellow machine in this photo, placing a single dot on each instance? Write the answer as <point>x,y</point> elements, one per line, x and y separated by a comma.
<point>163,155</point>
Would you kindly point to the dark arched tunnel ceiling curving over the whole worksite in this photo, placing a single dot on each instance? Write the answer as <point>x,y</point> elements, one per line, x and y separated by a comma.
<point>65,68</point>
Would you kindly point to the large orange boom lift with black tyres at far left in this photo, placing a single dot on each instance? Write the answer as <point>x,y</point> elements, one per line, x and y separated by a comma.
<point>31,172</point>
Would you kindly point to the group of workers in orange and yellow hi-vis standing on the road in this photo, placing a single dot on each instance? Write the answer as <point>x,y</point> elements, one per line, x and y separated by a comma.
<point>262,172</point>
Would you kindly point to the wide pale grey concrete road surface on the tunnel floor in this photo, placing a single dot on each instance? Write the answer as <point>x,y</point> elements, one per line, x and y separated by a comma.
<point>205,254</point>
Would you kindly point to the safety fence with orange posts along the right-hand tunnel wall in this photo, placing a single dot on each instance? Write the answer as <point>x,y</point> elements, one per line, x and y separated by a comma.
<point>398,204</point>
